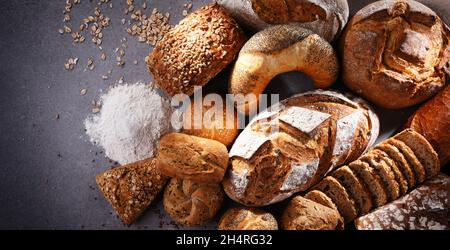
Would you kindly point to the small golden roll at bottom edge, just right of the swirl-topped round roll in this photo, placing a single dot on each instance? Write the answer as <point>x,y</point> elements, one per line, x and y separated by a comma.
<point>247,219</point>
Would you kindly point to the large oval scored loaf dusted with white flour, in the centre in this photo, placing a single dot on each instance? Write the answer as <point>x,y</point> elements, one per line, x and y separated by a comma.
<point>288,148</point>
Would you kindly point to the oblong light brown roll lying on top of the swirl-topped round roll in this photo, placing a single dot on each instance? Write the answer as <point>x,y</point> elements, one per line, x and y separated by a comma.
<point>191,157</point>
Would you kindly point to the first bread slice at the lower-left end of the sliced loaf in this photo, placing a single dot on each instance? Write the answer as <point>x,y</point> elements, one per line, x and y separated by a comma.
<point>339,195</point>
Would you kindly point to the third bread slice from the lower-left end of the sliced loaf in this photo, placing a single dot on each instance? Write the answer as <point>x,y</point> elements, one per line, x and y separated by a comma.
<point>372,180</point>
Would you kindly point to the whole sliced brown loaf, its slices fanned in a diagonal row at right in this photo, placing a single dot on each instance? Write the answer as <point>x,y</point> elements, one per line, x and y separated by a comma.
<point>377,173</point>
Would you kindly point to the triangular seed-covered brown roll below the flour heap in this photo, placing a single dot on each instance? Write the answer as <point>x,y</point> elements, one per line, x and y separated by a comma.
<point>131,188</point>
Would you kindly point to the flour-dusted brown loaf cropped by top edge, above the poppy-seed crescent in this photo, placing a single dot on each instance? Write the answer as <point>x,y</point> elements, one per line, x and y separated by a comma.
<point>326,18</point>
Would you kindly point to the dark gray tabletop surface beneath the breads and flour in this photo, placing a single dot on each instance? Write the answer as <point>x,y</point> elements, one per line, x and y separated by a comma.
<point>47,165</point>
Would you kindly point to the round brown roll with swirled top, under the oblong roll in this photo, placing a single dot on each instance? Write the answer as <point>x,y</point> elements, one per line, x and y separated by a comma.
<point>190,203</point>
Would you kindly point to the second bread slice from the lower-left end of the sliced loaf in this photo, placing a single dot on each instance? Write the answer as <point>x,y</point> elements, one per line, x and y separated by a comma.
<point>358,192</point>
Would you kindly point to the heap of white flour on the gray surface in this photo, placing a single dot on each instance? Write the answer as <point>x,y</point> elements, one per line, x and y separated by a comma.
<point>130,123</point>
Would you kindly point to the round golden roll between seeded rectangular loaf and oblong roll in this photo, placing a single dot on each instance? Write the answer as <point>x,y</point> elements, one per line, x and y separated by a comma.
<point>211,121</point>
